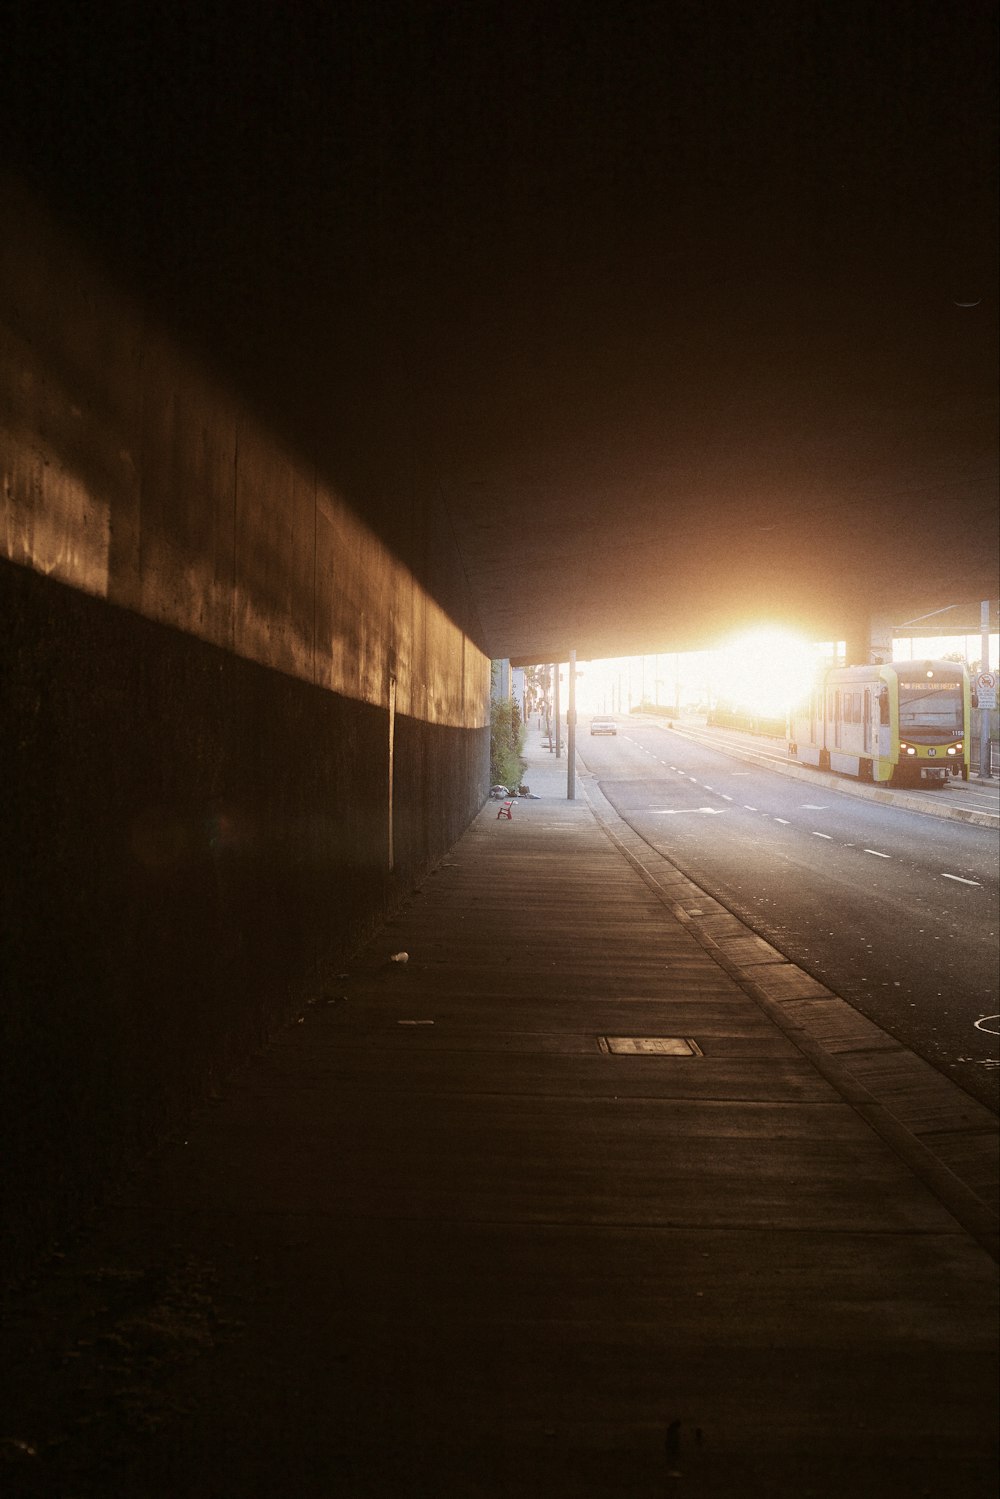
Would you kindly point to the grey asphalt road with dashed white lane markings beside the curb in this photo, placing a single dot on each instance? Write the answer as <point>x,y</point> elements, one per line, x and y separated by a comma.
<point>894,911</point>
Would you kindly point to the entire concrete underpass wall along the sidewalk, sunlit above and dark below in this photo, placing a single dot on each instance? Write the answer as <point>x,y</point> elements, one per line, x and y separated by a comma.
<point>206,657</point>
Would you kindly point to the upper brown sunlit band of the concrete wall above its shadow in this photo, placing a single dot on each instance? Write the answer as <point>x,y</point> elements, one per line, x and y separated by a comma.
<point>131,474</point>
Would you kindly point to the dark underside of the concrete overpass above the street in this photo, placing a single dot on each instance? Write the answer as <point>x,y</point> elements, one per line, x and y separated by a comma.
<point>686,316</point>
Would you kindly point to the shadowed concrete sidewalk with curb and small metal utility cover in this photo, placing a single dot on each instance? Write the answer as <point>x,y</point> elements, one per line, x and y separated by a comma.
<point>464,1230</point>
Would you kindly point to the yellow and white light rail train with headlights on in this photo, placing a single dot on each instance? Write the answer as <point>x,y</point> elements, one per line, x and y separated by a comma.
<point>902,725</point>
